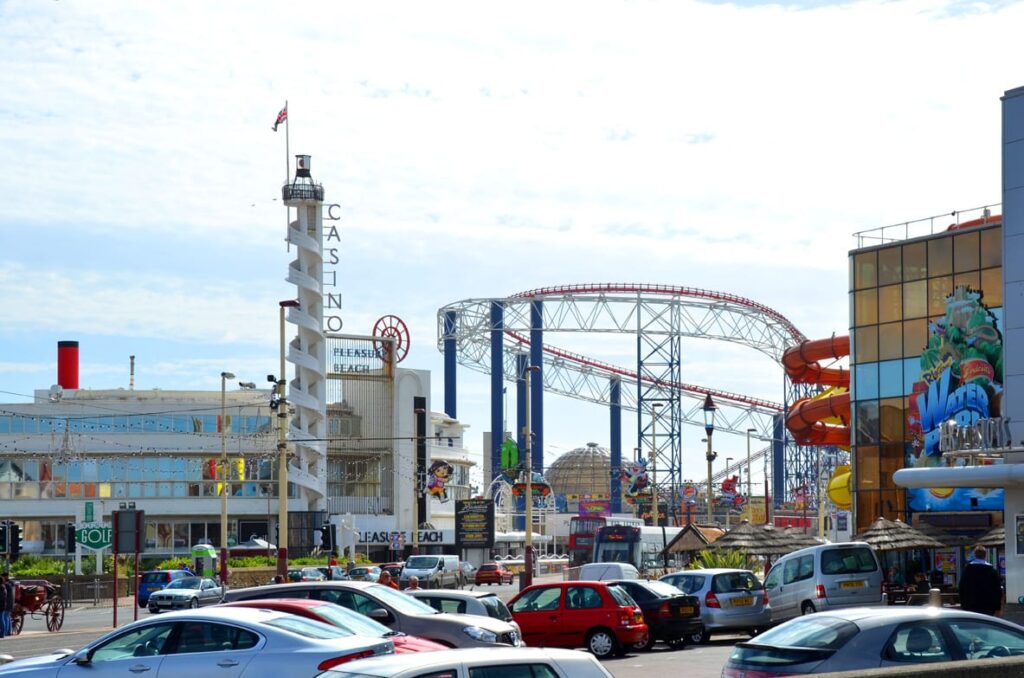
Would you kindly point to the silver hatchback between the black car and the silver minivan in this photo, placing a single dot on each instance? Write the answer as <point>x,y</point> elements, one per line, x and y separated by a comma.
<point>732,601</point>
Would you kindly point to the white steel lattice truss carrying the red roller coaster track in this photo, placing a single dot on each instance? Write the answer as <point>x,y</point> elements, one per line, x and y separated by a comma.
<point>659,317</point>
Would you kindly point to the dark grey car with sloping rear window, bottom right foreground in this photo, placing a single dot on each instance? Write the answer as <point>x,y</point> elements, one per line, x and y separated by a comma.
<point>857,639</point>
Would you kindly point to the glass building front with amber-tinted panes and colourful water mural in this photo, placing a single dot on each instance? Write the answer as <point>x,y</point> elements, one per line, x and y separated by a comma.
<point>926,344</point>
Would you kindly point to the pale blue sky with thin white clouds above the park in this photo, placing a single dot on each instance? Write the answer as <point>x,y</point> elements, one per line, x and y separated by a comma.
<point>476,151</point>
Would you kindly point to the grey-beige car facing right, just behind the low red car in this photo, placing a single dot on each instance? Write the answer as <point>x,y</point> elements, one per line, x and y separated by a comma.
<point>395,610</point>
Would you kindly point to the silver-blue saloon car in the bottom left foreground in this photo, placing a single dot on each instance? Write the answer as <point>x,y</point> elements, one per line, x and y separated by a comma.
<point>192,643</point>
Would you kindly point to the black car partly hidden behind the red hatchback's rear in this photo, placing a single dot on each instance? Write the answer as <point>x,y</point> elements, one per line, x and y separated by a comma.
<point>671,615</point>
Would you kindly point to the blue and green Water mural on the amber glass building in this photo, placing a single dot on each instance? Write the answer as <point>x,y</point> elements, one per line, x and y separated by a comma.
<point>961,379</point>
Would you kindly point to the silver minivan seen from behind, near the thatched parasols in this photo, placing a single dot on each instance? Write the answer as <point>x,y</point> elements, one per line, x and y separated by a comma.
<point>825,577</point>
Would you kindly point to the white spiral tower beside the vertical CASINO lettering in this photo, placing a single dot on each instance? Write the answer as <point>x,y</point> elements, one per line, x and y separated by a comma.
<point>308,351</point>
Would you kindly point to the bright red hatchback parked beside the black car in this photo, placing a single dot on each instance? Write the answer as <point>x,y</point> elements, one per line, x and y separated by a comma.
<point>598,616</point>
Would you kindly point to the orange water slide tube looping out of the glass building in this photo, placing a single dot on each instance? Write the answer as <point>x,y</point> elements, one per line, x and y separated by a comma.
<point>808,420</point>
